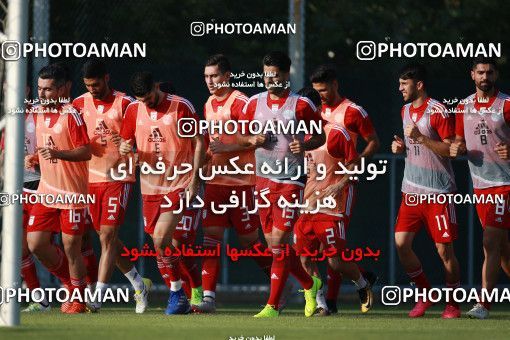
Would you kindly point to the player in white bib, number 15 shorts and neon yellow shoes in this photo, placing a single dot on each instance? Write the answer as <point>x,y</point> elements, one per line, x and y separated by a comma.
<point>278,103</point>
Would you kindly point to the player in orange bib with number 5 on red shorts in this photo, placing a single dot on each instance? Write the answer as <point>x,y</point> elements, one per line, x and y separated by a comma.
<point>103,109</point>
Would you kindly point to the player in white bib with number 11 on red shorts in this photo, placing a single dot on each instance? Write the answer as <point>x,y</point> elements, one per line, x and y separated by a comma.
<point>428,131</point>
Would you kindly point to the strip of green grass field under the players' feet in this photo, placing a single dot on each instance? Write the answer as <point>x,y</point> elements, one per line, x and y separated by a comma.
<point>381,323</point>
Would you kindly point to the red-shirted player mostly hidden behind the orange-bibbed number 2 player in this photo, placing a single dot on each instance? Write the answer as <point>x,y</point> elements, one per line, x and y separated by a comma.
<point>339,110</point>
